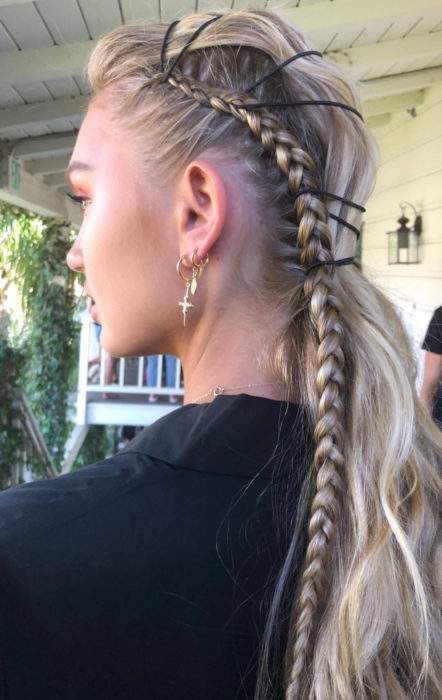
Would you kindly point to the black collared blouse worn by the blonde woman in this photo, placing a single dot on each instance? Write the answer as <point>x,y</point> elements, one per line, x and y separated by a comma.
<point>148,575</point>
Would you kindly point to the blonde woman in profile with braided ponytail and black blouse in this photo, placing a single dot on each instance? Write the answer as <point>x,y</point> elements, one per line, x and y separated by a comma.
<point>276,537</point>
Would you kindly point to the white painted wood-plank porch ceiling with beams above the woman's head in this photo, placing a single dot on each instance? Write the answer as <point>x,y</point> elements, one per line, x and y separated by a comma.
<point>394,47</point>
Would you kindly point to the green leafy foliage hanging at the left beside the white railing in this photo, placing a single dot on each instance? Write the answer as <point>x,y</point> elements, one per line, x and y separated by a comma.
<point>33,253</point>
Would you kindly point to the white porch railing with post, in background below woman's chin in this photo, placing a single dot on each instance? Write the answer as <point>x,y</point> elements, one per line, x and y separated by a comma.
<point>131,376</point>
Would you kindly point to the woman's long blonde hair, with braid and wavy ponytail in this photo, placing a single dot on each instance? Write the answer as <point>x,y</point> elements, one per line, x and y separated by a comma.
<point>364,620</point>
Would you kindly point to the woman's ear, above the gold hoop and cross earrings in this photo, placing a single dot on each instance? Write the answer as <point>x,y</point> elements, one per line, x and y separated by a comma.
<point>201,209</point>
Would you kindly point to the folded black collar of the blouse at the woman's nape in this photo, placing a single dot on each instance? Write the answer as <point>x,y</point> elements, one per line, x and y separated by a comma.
<point>238,435</point>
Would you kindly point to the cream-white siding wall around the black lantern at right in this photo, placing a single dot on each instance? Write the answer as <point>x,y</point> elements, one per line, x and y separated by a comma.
<point>411,170</point>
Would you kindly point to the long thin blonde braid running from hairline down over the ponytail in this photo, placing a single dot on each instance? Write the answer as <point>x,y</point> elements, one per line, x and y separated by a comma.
<point>314,241</point>
